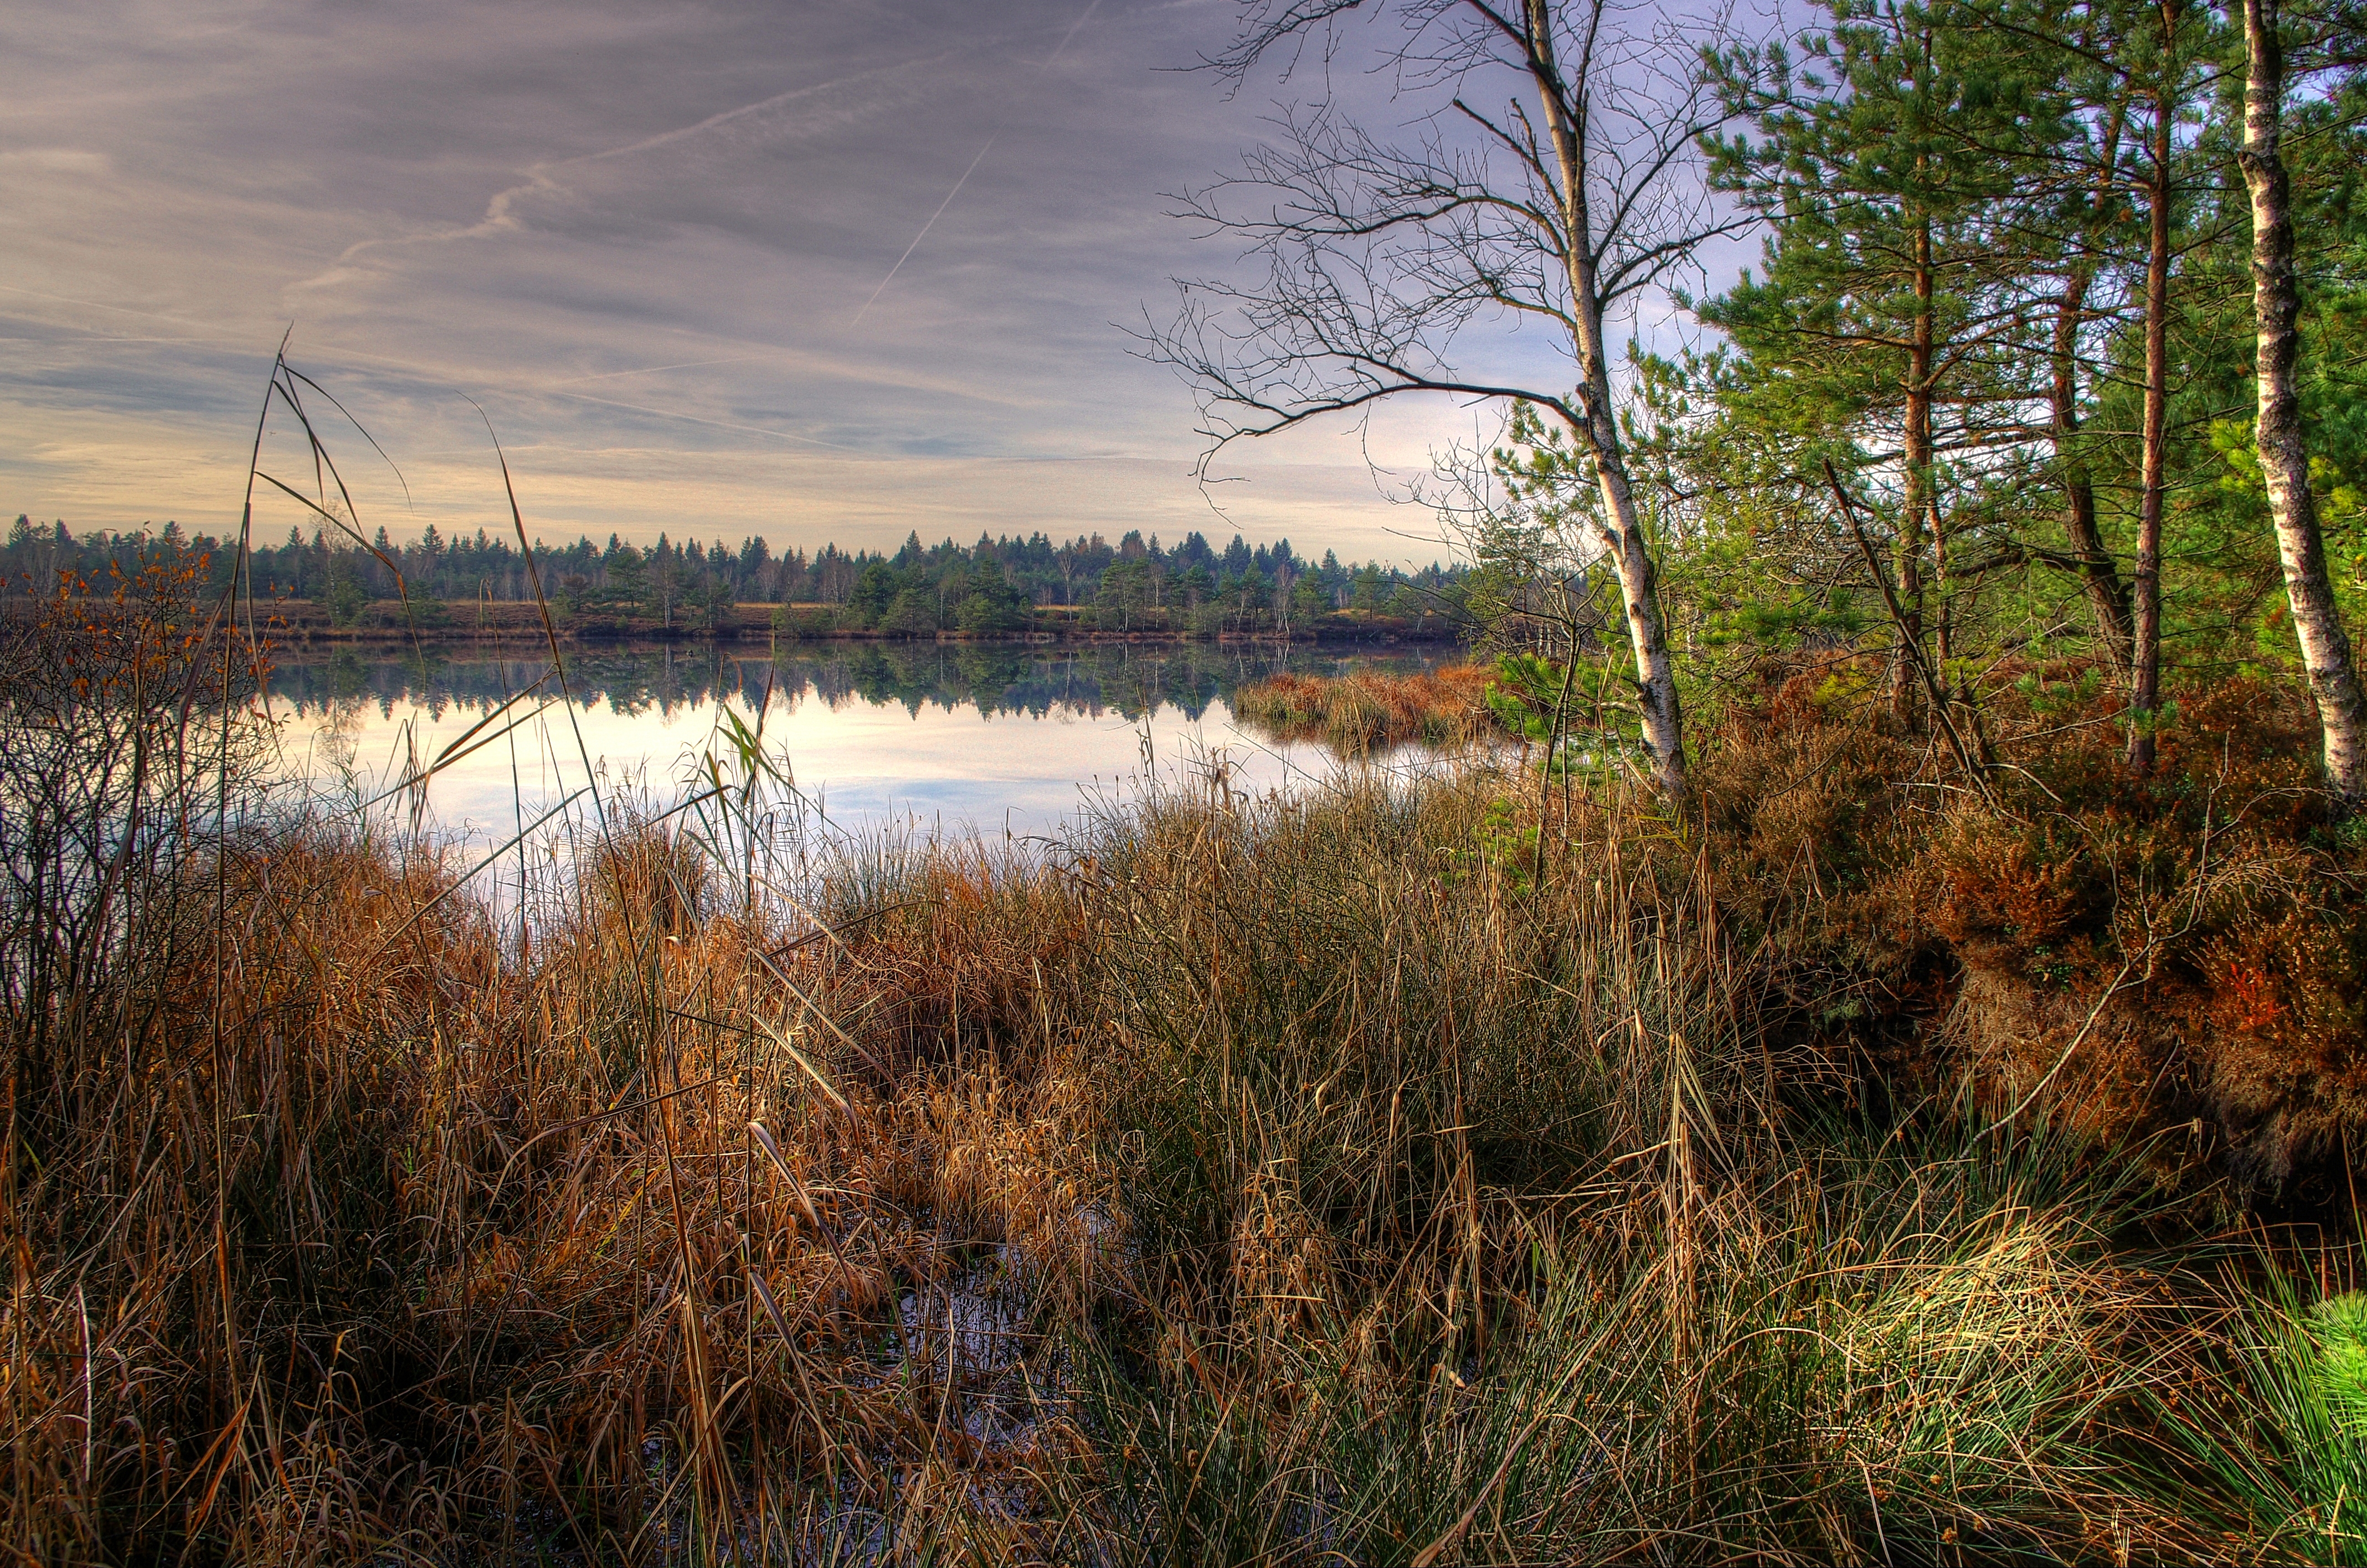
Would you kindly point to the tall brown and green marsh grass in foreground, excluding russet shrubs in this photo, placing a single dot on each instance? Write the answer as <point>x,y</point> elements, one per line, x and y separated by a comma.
<point>1249,1184</point>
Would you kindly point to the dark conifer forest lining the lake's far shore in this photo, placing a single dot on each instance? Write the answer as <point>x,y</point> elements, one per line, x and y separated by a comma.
<point>983,588</point>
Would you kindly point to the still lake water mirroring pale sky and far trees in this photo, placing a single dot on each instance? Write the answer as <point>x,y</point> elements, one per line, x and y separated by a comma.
<point>929,737</point>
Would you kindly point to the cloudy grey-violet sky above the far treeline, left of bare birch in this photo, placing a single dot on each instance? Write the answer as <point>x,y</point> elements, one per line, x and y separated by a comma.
<point>808,271</point>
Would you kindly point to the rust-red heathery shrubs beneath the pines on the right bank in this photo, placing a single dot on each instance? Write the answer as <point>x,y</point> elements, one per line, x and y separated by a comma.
<point>2172,959</point>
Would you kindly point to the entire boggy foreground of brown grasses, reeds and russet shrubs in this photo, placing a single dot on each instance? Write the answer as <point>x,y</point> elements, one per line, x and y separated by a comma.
<point>1400,1174</point>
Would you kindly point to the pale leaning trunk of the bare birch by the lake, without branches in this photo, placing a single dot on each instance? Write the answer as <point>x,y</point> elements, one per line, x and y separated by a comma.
<point>1623,526</point>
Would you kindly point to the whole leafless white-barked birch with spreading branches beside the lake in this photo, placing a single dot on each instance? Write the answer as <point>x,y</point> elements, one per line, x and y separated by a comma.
<point>1549,181</point>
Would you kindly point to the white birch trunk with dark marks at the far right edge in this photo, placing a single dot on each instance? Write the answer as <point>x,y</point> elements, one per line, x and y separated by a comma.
<point>2285,460</point>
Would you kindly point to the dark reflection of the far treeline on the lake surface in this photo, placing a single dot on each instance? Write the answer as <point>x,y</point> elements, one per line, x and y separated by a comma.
<point>993,678</point>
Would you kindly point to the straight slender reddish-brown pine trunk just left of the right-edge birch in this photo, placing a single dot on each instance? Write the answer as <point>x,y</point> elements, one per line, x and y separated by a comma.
<point>2146,633</point>
